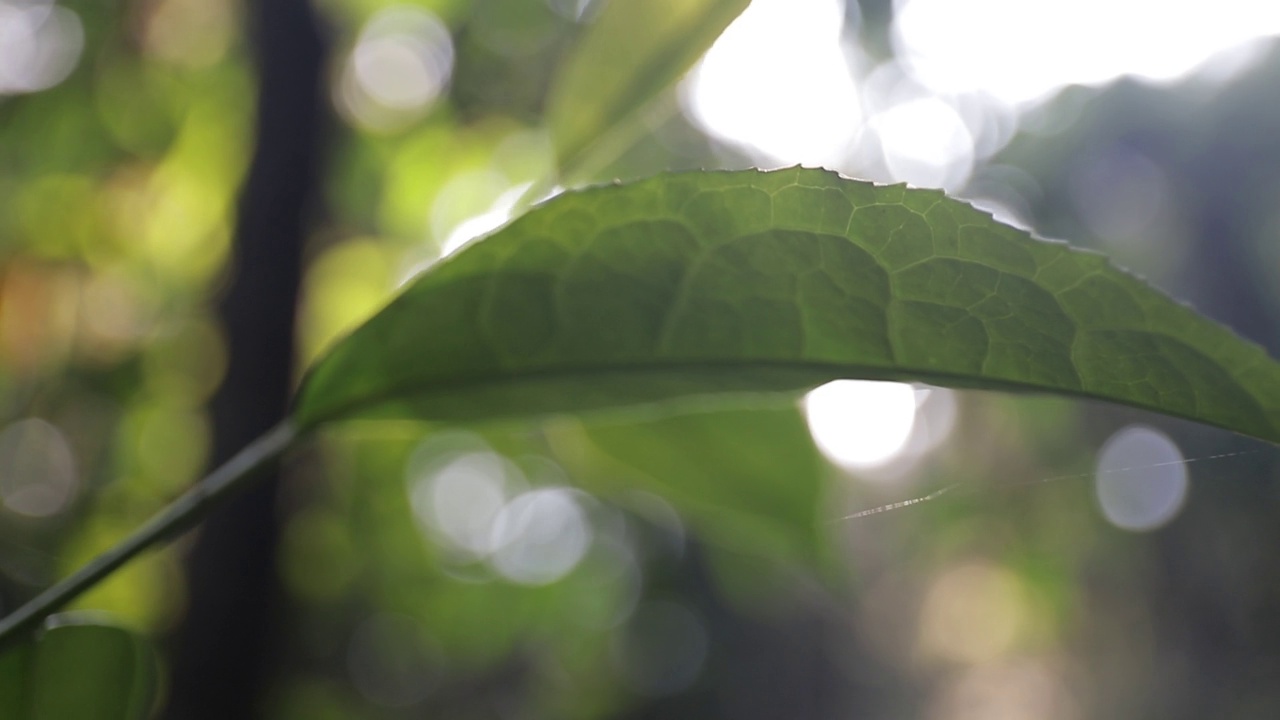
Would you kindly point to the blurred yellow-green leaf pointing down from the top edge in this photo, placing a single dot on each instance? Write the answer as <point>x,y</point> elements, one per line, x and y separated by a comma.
<point>629,54</point>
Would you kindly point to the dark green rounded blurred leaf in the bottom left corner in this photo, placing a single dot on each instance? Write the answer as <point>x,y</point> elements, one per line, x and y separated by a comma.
<point>79,669</point>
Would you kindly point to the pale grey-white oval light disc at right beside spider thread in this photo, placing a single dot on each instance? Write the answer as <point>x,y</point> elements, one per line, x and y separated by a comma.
<point>1141,479</point>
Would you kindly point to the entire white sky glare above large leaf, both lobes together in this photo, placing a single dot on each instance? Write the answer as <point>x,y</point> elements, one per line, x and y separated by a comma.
<point>789,85</point>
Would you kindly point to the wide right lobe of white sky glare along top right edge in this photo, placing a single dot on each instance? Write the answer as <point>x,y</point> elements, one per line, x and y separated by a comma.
<point>1021,53</point>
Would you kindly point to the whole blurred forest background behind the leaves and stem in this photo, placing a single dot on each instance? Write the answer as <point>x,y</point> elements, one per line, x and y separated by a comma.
<point>198,197</point>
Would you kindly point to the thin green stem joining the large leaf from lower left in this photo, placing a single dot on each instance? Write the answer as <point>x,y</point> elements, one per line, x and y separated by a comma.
<point>179,517</point>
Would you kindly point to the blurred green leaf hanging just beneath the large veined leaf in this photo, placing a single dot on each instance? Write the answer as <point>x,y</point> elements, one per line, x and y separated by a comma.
<point>748,479</point>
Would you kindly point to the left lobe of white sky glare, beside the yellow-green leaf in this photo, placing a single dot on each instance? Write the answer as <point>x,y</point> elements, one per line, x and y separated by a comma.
<point>779,81</point>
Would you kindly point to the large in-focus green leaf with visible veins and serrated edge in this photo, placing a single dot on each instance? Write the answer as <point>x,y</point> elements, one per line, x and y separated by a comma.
<point>744,281</point>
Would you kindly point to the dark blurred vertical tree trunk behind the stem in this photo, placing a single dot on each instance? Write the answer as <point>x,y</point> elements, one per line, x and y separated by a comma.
<point>223,651</point>
